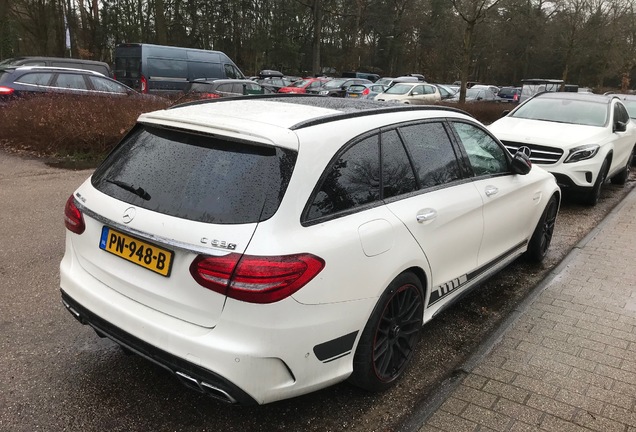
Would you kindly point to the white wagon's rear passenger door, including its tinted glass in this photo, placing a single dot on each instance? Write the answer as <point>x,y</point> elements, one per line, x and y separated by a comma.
<point>444,214</point>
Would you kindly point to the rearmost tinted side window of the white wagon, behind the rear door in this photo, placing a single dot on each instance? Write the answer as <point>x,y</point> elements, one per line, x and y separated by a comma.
<point>351,181</point>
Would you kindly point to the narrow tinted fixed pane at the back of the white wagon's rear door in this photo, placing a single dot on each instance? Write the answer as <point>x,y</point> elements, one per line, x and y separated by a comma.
<point>397,174</point>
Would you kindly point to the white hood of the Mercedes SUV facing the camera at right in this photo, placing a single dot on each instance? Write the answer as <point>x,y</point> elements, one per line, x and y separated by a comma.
<point>547,133</point>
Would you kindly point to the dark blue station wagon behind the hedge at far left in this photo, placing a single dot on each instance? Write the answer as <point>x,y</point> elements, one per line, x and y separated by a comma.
<point>28,80</point>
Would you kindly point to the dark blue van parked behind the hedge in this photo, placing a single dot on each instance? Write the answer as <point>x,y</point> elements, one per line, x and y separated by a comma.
<point>163,69</point>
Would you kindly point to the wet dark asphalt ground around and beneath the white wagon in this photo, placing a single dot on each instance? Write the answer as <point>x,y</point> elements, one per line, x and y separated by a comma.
<point>59,376</point>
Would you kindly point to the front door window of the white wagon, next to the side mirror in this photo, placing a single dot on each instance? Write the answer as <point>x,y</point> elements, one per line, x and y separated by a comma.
<point>484,154</point>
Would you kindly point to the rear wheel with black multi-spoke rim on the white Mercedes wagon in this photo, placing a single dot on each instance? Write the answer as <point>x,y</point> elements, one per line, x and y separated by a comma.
<point>389,338</point>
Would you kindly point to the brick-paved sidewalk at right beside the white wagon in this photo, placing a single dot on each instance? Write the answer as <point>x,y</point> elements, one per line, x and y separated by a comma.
<point>568,360</point>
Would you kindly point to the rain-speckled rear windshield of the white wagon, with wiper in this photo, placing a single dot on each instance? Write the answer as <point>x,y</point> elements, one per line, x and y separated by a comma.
<point>197,177</point>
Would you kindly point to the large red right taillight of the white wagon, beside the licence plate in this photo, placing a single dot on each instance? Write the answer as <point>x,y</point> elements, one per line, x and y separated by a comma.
<point>256,279</point>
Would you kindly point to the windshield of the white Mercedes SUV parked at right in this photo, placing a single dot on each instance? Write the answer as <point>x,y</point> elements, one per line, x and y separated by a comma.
<point>583,112</point>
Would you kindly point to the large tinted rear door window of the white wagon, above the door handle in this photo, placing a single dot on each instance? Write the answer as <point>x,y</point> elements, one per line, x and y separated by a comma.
<point>432,154</point>
